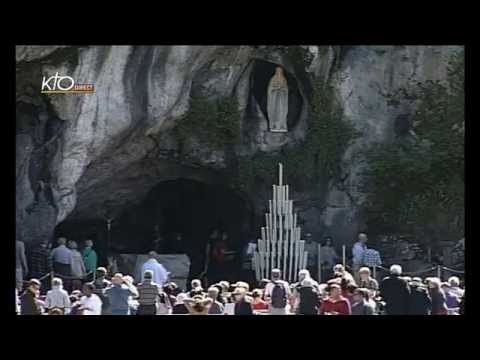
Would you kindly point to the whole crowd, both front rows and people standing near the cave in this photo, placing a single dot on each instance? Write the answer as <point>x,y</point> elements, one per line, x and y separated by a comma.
<point>343,293</point>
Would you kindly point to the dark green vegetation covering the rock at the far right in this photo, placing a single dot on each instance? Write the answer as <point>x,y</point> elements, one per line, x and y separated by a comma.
<point>419,188</point>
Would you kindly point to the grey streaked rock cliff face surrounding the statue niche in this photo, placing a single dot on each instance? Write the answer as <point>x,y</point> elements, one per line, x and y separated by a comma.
<point>87,156</point>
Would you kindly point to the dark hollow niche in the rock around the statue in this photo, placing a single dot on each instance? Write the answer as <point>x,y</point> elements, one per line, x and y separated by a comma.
<point>261,75</point>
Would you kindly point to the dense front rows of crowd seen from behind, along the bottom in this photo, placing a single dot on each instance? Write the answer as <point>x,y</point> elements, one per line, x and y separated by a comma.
<point>341,295</point>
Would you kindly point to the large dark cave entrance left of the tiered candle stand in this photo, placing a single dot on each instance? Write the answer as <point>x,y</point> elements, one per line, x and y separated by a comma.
<point>189,208</point>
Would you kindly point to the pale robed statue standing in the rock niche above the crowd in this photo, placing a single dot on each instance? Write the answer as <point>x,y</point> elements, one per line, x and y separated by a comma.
<point>277,104</point>
